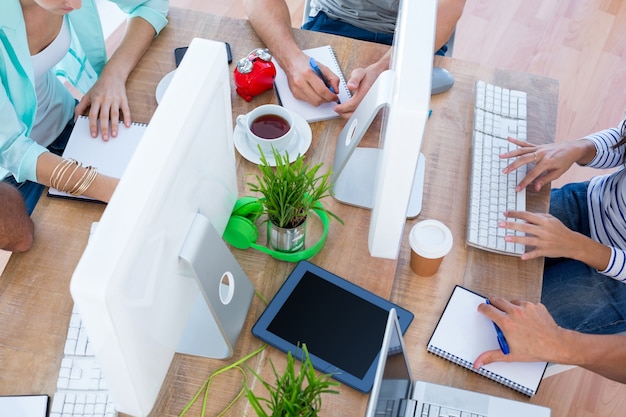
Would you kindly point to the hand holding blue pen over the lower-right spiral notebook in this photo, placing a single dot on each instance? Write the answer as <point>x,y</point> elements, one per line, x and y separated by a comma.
<point>530,331</point>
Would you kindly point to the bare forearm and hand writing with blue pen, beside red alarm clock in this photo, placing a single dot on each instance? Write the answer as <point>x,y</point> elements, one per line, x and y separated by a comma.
<point>272,23</point>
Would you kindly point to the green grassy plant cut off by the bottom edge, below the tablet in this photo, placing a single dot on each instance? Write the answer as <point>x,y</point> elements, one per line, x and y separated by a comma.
<point>294,394</point>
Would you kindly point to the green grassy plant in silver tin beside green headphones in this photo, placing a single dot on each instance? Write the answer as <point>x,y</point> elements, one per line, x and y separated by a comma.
<point>290,192</point>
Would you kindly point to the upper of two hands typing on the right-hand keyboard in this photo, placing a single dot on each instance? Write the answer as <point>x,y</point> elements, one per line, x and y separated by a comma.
<point>548,162</point>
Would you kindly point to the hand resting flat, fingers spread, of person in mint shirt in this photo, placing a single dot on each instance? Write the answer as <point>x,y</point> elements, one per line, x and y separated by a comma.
<point>105,100</point>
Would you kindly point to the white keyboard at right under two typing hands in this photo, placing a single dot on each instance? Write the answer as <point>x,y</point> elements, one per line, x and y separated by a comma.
<point>498,114</point>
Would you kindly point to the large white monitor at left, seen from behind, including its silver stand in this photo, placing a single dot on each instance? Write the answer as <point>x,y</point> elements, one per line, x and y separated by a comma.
<point>156,277</point>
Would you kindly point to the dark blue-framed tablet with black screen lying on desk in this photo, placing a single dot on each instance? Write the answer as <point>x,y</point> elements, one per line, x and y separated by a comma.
<point>341,324</point>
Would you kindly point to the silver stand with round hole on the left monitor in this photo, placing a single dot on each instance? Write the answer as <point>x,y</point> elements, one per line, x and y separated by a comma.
<point>224,293</point>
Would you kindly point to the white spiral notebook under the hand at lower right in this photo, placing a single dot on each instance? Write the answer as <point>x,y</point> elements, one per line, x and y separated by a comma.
<point>463,333</point>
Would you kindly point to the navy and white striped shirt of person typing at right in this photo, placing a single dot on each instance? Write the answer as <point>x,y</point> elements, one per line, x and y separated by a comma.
<point>606,200</point>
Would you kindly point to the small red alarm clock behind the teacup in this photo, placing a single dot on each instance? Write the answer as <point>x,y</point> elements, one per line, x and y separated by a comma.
<point>254,74</point>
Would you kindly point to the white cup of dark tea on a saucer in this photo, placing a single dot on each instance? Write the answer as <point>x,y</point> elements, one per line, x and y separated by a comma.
<point>268,126</point>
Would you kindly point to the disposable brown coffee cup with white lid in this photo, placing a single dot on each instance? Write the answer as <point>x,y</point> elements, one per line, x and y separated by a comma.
<point>430,242</point>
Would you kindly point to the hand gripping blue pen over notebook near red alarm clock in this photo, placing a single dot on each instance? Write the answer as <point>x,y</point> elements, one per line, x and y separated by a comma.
<point>306,85</point>
